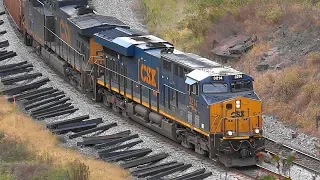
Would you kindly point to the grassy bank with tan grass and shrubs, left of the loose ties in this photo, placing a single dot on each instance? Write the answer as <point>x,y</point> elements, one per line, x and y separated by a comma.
<point>39,142</point>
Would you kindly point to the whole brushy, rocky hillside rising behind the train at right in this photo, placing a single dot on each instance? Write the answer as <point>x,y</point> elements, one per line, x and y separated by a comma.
<point>287,46</point>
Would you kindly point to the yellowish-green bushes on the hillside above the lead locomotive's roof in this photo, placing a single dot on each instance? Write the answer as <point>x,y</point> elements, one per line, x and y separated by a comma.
<point>187,23</point>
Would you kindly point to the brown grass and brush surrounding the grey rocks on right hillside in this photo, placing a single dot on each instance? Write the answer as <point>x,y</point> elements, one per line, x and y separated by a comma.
<point>292,93</point>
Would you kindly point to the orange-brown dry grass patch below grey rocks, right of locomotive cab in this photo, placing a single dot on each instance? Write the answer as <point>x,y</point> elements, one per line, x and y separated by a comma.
<point>293,94</point>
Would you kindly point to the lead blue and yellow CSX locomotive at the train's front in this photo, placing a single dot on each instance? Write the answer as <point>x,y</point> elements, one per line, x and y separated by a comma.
<point>195,101</point>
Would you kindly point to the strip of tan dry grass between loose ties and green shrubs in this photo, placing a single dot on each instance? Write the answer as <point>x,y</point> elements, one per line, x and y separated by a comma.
<point>43,143</point>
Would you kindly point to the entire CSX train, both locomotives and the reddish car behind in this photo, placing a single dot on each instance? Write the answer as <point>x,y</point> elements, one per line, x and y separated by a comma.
<point>194,101</point>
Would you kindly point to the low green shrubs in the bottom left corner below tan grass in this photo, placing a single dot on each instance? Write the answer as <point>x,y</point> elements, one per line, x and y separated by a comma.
<point>17,162</point>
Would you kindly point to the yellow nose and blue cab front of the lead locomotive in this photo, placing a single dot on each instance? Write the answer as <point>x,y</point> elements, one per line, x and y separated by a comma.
<point>234,116</point>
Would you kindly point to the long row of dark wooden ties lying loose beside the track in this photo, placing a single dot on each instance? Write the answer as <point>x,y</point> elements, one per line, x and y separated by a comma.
<point>25,88</point>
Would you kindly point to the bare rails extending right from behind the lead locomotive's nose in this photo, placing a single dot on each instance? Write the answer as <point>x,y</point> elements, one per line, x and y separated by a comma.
<point>304,160</point>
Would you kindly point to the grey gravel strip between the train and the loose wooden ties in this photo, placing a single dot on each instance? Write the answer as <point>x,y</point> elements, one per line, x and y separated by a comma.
<point>86,106</point>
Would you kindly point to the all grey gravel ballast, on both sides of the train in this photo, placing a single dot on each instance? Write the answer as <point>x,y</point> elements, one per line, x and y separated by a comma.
<point>122,10</point>
